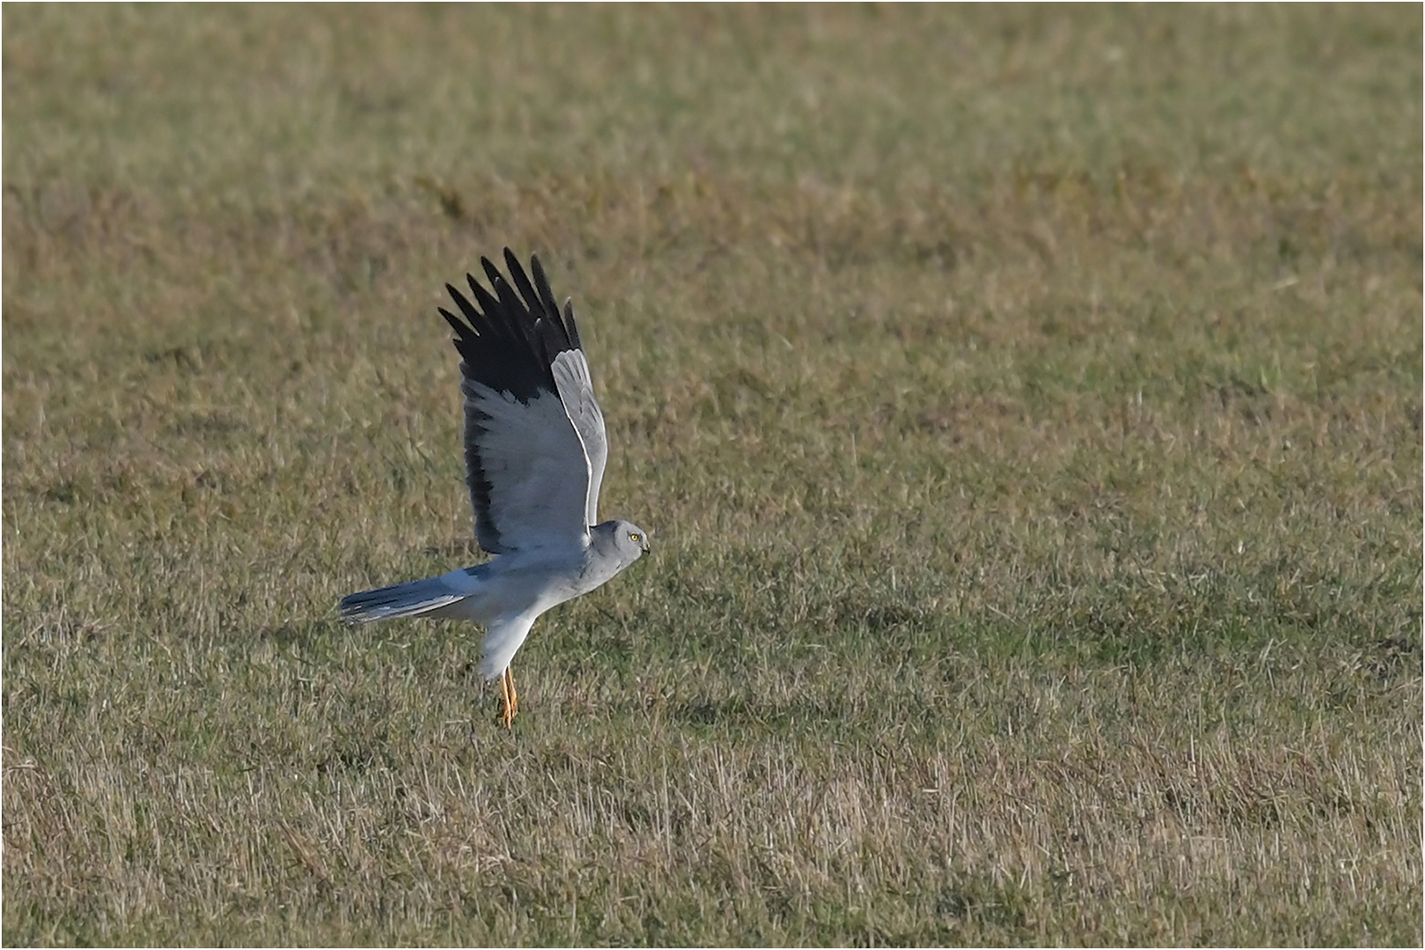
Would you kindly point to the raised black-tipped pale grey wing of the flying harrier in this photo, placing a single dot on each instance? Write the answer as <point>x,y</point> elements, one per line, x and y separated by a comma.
<point>535,445</point>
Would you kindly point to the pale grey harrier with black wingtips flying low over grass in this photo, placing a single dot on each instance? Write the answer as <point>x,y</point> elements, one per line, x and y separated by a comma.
<point>535,451</point>
